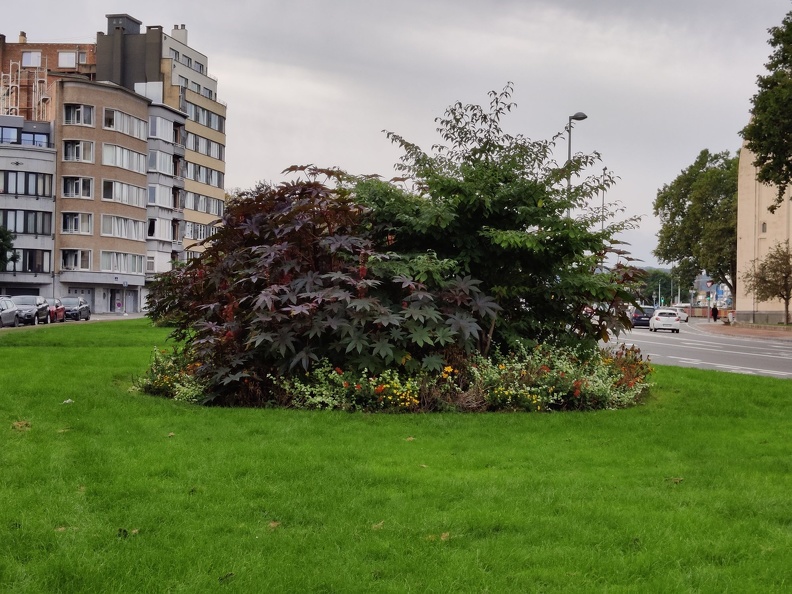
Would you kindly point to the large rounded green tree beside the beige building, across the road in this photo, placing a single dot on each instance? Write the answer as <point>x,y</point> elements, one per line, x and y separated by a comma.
<point>698,215</point>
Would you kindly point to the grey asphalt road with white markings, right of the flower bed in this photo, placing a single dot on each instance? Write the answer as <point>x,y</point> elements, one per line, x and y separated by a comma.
<point>698,346</point>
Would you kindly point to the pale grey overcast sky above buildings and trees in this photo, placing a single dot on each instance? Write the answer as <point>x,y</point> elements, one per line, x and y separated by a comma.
<point>312,81</point>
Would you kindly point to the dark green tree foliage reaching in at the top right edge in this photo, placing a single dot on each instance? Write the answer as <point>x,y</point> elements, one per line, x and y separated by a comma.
<point>767,134</point>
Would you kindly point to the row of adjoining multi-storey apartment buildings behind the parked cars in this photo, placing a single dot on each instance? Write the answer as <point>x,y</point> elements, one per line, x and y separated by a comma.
<point>112,161</point>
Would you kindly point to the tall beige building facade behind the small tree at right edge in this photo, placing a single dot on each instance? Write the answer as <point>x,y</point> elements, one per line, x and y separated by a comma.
<point>758,230</point>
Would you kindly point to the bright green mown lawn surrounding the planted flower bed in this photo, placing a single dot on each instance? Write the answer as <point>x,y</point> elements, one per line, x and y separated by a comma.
<point>121,492</point>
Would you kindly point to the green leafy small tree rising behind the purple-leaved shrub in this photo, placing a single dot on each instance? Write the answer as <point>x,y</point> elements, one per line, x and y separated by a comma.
<point>496,205</point>
